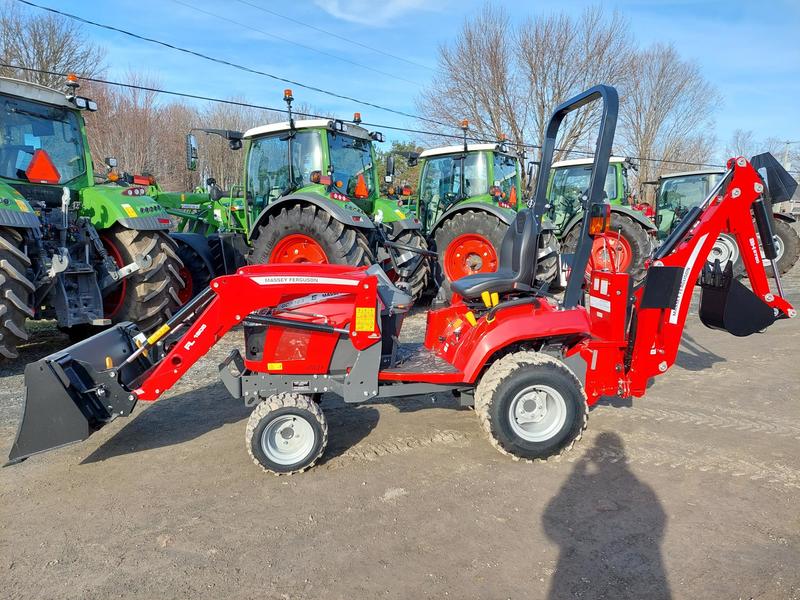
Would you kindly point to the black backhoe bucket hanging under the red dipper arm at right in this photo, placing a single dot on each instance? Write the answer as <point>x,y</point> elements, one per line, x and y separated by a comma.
<point>727,304</point>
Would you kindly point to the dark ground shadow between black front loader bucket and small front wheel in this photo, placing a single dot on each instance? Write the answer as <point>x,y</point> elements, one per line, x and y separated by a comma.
<point>173,421</point>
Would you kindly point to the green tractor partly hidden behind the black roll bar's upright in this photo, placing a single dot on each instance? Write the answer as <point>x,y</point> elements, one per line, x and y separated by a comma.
<point>631,236</point>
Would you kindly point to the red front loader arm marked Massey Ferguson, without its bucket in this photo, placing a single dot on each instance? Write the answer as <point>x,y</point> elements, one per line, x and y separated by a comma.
<point>251,289</point>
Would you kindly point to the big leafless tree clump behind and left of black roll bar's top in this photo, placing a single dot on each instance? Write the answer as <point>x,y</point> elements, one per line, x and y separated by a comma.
<point>508,80</point>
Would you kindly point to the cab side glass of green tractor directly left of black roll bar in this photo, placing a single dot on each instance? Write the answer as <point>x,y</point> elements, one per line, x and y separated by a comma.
<point>442,179</point>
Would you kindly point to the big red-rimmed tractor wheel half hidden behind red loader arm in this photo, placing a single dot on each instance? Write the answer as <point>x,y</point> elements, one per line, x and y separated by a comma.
<point>306,233</point>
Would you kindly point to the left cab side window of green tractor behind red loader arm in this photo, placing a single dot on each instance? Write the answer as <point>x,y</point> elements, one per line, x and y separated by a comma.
<point>268,164</point>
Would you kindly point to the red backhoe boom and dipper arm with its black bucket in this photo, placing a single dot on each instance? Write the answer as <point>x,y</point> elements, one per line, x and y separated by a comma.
<point>659,313</point>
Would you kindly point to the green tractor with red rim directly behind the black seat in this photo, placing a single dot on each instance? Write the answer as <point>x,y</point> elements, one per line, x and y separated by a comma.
<point>467,196</point>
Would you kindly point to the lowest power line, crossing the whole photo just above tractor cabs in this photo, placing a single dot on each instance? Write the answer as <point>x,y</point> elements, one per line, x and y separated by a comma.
<point>316,116</point>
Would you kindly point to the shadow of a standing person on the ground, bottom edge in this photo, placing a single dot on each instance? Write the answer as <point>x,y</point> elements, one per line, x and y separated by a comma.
<point>609,527</point>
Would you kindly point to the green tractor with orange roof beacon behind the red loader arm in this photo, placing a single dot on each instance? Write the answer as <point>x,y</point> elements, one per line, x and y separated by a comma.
<point>311,194</point>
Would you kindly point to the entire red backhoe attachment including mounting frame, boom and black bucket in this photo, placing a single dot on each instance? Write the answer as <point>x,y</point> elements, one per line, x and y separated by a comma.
<point>638,338</point>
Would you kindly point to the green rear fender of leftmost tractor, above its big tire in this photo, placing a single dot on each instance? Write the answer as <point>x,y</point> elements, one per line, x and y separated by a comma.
<point>130,206</point>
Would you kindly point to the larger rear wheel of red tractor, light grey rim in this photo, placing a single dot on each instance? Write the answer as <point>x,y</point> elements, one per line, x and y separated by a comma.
<point>541,426</point>
